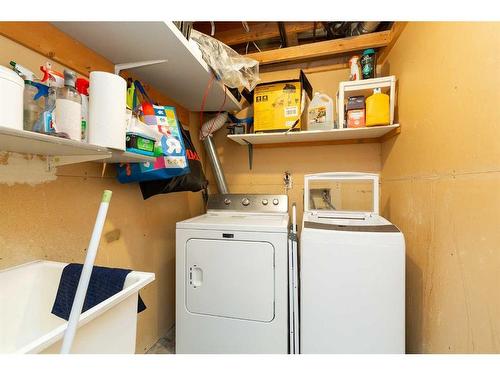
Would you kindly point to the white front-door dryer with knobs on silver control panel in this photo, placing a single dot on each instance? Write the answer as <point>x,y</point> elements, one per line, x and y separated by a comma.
<point>232,277</point>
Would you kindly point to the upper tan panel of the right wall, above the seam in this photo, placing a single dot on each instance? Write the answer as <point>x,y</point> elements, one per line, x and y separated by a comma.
<point>448,99</point>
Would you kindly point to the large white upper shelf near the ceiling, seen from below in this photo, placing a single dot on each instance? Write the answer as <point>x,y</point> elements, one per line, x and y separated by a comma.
<point>184,77</point>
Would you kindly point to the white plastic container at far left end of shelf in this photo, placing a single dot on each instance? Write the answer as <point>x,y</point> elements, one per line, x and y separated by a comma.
<point>11,99</point>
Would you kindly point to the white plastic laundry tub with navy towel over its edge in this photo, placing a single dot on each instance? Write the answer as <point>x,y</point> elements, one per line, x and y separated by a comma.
<point>27,293</point>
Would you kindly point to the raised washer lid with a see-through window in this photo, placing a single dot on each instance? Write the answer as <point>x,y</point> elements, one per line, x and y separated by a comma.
<point>342,194</point>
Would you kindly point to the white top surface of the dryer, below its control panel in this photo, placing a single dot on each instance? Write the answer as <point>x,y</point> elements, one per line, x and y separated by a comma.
<point>237,221</point>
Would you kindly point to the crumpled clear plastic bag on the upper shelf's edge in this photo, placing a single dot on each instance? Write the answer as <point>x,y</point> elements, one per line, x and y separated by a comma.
<point>233,69</point>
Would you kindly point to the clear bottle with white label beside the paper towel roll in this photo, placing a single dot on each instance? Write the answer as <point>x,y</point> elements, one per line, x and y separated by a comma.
<point>69,108</point>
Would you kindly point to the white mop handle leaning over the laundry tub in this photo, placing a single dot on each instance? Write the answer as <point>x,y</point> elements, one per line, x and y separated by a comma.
<point>83,283</point>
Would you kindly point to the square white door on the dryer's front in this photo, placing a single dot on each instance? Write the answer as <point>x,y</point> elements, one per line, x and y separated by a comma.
<point>229,278</point>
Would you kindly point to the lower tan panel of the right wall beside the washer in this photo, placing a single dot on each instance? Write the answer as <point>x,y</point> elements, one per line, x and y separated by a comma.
<point>452,261</point>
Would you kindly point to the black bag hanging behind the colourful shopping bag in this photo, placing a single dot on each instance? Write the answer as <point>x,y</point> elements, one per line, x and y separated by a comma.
<point>193,181</point>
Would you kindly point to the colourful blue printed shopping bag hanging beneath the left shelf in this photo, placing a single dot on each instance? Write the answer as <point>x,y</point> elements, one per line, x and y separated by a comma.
<point>173,161</point>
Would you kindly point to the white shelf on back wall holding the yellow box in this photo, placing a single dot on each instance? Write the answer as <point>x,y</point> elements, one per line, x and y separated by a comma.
<point>339,136</point>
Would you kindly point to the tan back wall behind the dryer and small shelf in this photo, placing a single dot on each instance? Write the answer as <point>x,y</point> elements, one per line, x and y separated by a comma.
<point>269,164</point>
